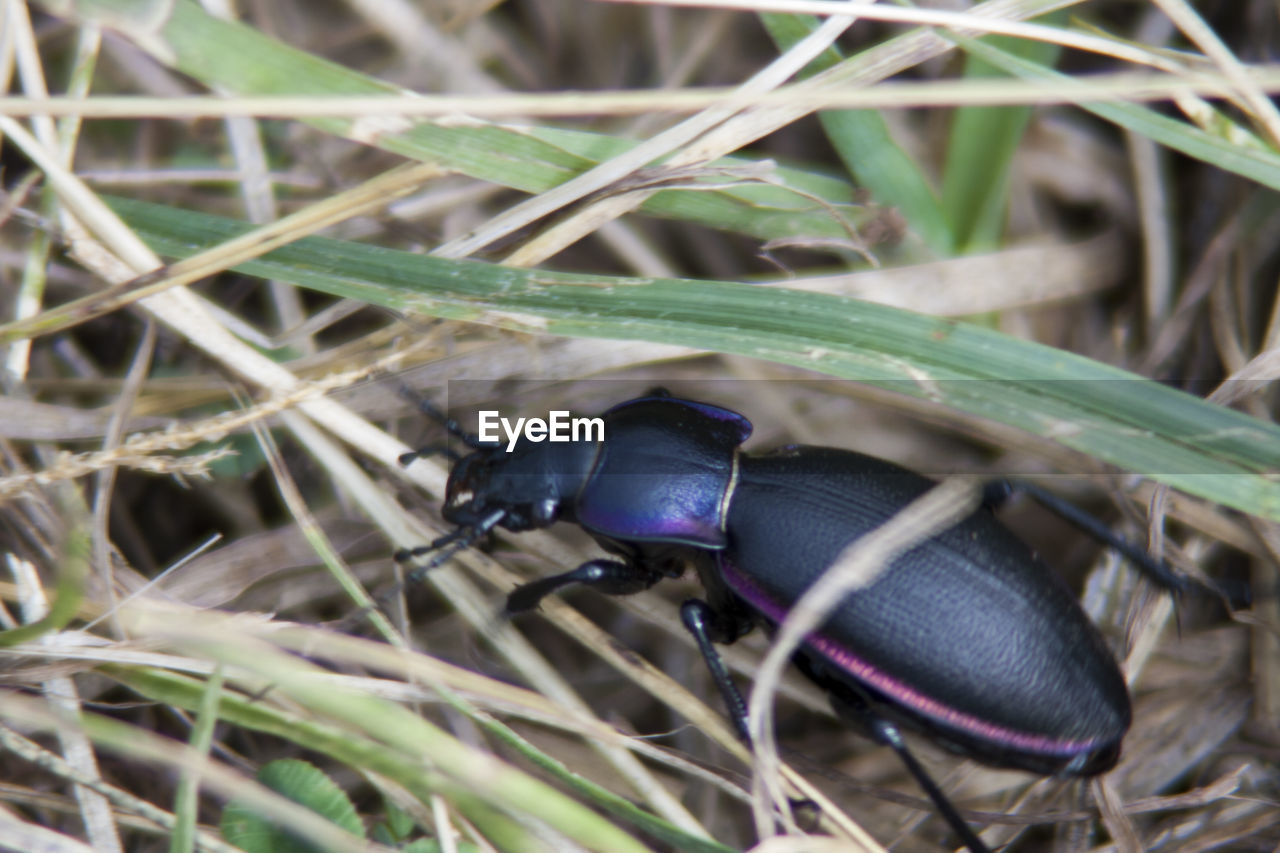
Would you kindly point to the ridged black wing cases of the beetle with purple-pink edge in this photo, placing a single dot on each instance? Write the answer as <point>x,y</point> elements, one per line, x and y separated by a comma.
<point>968,636</point>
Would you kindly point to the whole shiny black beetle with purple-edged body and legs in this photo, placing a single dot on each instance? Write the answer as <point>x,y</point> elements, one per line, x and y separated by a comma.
<point>967,638</point>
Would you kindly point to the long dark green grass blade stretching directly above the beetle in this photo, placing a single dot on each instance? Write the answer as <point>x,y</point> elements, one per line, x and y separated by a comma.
<point>1110,414</point>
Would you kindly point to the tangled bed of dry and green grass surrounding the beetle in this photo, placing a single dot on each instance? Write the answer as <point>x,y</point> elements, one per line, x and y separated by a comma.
<point>158,576</point>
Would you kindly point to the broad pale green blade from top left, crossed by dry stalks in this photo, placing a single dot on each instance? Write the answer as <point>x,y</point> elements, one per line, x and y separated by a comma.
<point>532,159</point>
